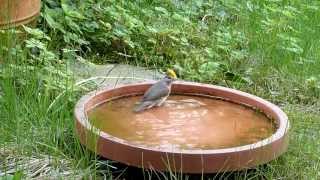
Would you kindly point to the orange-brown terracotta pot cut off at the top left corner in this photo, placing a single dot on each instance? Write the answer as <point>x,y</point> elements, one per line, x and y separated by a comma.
<point>16,12</point>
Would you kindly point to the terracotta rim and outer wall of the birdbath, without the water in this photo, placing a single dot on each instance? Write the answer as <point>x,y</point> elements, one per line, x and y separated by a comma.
<point>186,161</point>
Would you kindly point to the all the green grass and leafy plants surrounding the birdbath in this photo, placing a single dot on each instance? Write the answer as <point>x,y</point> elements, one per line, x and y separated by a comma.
<point>270,49</point>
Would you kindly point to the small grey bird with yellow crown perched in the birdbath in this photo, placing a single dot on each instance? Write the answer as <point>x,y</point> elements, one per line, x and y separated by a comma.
<point>157,93</point>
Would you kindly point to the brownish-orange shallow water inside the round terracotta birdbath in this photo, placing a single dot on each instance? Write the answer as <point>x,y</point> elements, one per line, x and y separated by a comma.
<point>183,122</point>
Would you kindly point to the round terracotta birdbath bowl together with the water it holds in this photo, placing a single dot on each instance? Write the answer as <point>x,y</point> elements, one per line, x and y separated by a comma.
<point>200,129</point>
